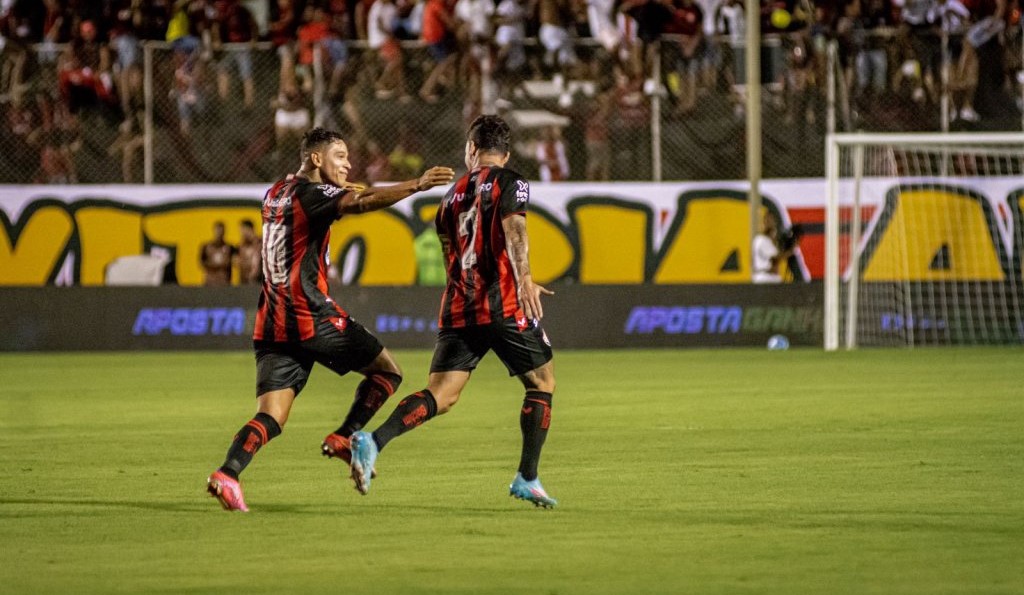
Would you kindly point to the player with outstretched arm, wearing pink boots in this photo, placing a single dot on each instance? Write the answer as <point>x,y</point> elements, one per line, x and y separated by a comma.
<point>297,323</point>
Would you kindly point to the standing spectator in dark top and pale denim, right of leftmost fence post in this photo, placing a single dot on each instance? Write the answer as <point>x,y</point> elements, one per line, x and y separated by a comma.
<point>236,26</point>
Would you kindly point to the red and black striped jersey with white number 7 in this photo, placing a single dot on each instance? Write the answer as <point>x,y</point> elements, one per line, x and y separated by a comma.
<point>482,285</point>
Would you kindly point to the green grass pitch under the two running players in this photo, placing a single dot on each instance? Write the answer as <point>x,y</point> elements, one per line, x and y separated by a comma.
<point>703,472</point>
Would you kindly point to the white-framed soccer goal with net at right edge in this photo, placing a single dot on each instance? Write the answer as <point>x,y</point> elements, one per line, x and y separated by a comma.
<point>924,237</point>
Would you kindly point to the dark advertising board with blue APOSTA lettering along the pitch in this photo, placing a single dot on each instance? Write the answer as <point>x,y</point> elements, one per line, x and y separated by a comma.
<point>578,317</point>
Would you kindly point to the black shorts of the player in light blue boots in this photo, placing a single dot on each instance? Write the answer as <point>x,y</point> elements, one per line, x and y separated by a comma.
<point>520,350</point>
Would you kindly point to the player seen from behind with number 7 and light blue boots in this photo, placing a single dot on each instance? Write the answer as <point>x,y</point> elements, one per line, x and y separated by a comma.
<point>491,303</point>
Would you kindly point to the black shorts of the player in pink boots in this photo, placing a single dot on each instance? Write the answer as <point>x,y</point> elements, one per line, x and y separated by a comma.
<point>343,350</point>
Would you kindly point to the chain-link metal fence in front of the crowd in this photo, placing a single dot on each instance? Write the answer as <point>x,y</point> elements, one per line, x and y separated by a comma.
<point>668,112</point>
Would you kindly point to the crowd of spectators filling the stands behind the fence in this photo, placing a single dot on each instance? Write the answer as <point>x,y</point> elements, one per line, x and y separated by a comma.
<point>386,65</point>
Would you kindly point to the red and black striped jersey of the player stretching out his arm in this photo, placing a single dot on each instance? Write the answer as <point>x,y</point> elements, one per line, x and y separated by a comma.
<point>297,218</point>
